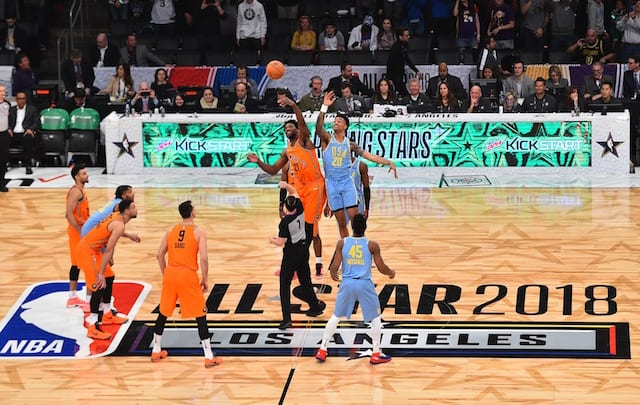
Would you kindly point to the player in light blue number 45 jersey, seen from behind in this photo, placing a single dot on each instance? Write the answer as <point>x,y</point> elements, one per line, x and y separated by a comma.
<point>356,254</point>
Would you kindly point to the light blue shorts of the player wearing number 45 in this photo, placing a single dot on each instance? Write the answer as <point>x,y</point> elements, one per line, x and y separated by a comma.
<point>361,290</point>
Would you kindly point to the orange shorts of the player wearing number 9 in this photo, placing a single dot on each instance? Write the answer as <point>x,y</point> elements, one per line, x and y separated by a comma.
<point>180,283</point>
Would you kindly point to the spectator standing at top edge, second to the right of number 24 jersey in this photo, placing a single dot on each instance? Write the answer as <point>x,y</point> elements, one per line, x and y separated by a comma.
<point>534,23</point>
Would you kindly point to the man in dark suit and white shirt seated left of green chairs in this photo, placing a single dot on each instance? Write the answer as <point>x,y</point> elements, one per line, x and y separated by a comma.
<point>24,122</point>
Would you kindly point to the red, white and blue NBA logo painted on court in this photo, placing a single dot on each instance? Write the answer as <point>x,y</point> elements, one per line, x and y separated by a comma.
<point>40,325</point>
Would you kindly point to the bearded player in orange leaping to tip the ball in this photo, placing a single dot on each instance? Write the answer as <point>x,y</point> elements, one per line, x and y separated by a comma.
<point>305,173</point>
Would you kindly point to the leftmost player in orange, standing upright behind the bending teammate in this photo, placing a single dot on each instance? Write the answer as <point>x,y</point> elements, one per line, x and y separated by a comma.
<point>77,214</point>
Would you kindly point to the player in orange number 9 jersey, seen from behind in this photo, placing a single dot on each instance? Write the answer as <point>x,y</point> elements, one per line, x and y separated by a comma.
<point>182,244</point>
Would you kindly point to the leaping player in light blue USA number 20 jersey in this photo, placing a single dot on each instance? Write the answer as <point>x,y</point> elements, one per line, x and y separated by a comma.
<point>336,154</point>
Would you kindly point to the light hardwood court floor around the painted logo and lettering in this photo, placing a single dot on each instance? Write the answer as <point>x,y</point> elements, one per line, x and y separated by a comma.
<point>462,237</point>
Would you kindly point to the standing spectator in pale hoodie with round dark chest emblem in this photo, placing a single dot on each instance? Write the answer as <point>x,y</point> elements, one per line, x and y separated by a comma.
<point>251,25</point>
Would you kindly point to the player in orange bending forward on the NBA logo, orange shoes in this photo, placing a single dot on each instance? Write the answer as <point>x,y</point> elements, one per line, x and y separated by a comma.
<point>94,252</point>
